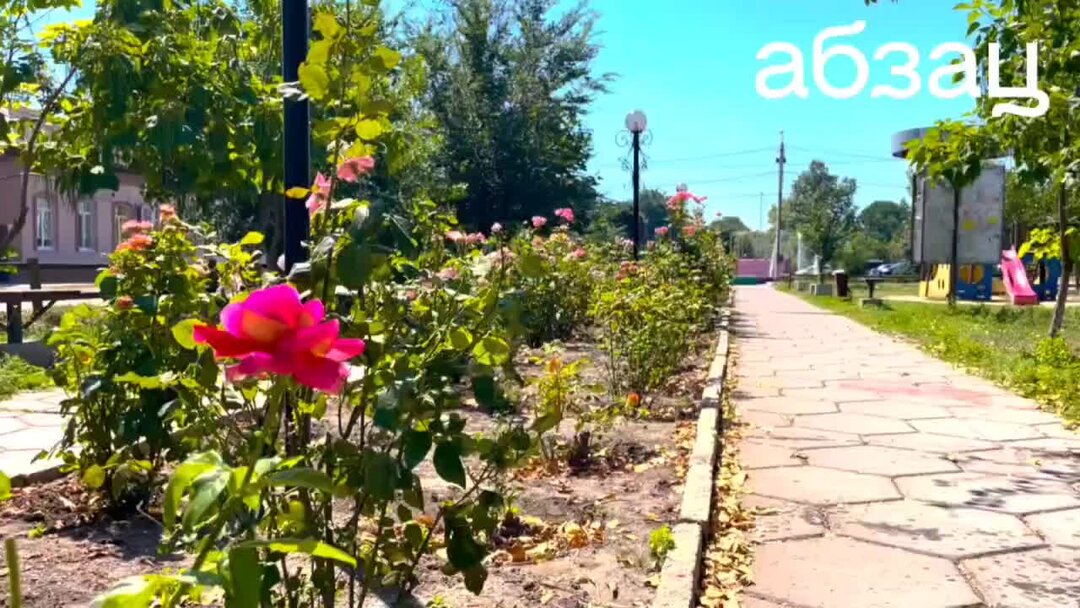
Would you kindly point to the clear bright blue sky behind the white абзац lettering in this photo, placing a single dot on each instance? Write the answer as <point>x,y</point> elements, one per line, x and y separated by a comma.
<point>691,65</point>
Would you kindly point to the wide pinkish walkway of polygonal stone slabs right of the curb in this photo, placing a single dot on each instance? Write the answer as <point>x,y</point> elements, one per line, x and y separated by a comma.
<point>885,478</point>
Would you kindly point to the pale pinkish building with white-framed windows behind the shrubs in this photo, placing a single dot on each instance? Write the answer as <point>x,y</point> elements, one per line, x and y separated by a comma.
<point>70,238</point>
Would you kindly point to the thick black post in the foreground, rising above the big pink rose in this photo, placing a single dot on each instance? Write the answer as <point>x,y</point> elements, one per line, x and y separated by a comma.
<point>298,132</point>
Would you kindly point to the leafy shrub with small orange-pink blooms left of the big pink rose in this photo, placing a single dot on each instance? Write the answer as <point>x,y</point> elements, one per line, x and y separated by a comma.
<point>129,379</point>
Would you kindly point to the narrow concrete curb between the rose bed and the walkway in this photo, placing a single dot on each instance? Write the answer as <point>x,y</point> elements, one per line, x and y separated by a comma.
<point>682,571</point>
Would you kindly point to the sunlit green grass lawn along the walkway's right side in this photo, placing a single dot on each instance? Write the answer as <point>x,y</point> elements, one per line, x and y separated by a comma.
<point>1007,345</point>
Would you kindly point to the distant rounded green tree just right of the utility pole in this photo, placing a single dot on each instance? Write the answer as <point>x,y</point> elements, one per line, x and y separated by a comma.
<point>822,209</point>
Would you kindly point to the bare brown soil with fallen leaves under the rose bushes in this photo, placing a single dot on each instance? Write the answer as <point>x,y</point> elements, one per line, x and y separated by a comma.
<point>580,538</point>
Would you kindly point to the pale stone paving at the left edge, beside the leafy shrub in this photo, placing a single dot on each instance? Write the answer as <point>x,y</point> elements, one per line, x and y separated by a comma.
<point>30,423</point>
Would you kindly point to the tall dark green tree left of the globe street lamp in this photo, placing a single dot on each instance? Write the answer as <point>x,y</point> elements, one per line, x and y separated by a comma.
<point>510,83</point>
